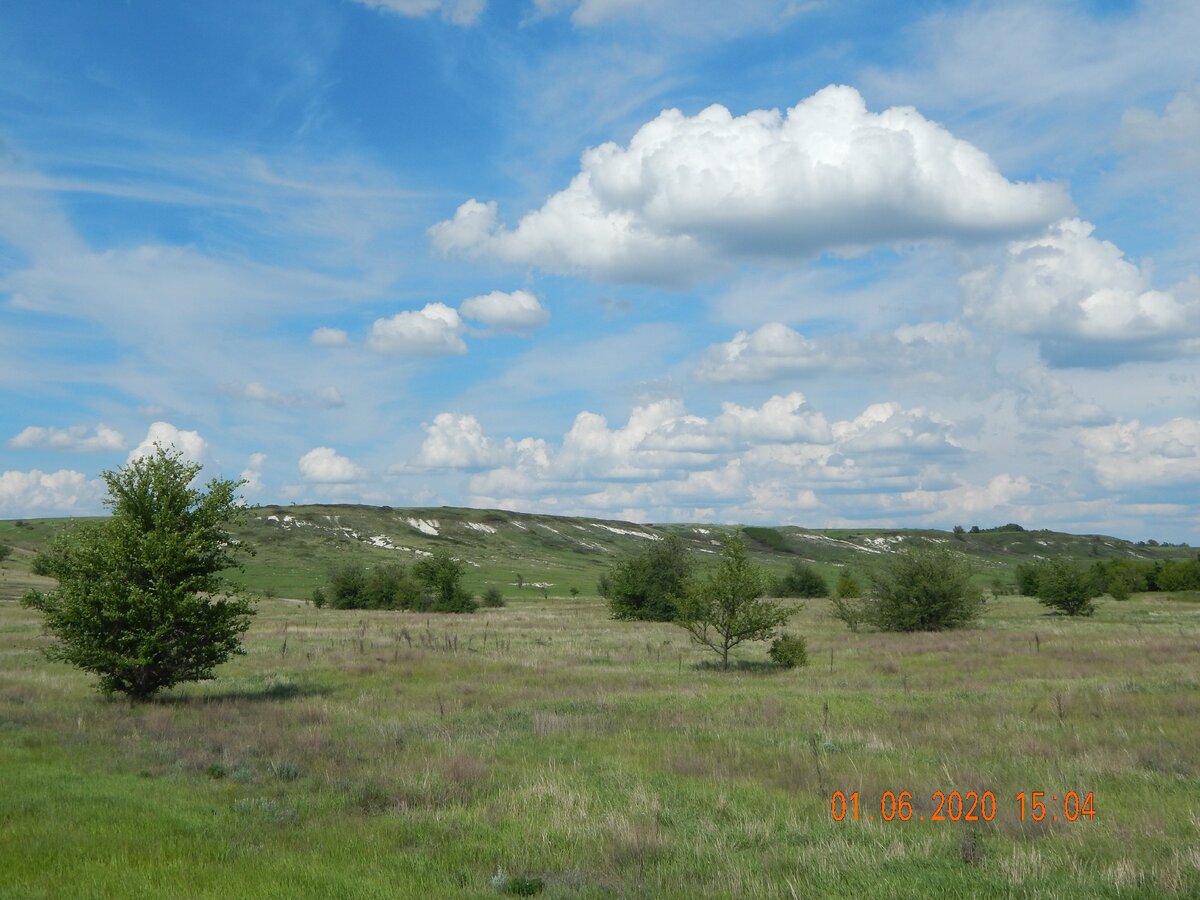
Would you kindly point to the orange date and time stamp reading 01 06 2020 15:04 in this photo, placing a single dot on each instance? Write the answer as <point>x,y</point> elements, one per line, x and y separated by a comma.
<point>965,807</point>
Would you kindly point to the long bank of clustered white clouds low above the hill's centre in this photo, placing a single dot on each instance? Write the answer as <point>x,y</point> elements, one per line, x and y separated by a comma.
<point>752,461</point>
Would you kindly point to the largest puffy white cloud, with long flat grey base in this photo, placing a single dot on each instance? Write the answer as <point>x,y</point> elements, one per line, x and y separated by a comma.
<point>691,193</point>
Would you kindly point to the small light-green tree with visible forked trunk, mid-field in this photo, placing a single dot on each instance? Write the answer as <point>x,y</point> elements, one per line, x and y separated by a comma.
<point>725,609</point>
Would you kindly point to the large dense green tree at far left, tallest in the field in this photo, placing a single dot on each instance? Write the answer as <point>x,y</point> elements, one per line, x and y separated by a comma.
<point>140,601</point>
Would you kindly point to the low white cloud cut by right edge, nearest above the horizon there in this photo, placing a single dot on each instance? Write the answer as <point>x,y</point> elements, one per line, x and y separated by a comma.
<point>1135,455</point>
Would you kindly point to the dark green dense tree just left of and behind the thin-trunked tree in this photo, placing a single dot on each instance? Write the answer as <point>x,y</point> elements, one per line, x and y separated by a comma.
<point>649,585</point>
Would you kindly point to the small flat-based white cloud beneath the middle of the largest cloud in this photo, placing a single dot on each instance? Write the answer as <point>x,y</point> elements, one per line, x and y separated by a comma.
<point>771,352</point>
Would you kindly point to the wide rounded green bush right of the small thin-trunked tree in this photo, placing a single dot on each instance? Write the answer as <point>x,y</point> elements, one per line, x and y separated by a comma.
<point>925,591</point>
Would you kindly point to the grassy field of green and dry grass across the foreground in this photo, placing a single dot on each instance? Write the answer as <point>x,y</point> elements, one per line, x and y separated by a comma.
<point>395,755</point>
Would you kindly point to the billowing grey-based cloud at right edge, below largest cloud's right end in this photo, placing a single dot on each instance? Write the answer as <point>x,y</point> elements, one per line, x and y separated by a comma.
<point>1078,296</point>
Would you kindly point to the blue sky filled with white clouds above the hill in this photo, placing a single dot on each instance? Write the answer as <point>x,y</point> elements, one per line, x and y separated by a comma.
<point>826,263</point>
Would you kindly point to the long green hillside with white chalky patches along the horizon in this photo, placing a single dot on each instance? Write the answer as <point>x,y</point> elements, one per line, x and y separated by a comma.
<point>537,556</point>
